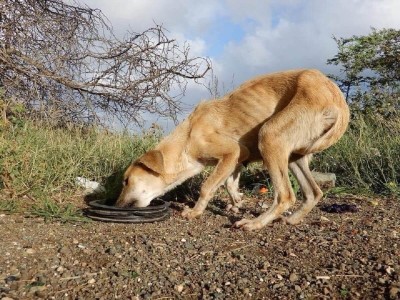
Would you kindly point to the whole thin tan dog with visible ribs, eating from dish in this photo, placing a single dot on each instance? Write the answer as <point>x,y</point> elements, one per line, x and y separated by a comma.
<point>281,119</point>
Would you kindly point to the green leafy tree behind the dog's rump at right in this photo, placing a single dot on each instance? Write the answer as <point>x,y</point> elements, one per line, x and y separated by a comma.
<point>371,71</point>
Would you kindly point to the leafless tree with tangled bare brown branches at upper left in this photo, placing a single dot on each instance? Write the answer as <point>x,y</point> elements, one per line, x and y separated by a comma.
<point>64,62</point>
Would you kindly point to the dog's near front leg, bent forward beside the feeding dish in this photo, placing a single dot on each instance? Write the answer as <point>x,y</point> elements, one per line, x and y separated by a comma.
<point>229,154</point>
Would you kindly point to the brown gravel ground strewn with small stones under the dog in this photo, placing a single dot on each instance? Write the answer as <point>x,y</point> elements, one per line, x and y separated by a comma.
<point>329,256</point>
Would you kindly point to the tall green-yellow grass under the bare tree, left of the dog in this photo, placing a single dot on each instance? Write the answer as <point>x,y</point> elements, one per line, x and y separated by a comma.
<point>43,162</point>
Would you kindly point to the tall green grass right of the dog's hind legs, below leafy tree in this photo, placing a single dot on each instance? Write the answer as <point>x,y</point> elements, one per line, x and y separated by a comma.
<point>367,156</point>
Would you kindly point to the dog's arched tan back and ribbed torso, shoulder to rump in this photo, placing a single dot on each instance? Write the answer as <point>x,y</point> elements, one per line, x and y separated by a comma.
<point>241,113</point>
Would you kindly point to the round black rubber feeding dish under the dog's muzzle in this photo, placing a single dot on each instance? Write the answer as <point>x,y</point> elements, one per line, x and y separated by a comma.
<point>158,210</point>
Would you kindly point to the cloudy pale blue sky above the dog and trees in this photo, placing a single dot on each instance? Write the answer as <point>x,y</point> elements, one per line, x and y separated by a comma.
<point>252,37</point>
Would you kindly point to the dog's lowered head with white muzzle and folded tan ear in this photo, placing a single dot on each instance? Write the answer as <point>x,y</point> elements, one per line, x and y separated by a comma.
<point>143,181</point>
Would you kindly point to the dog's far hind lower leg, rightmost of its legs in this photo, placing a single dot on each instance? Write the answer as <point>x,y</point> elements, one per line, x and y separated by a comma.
<point>311,191</point>
